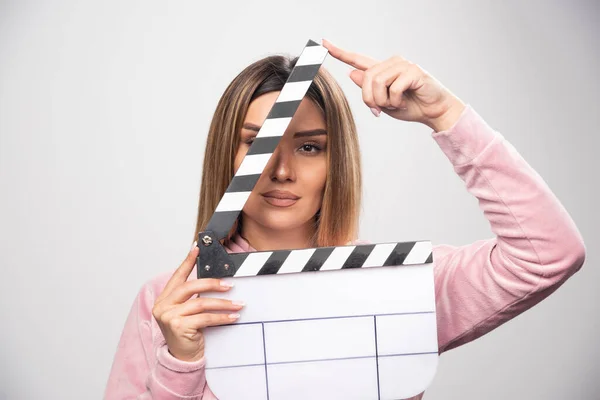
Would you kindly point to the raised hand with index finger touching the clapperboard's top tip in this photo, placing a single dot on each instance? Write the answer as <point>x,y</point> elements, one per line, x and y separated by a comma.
<point>401,89</point>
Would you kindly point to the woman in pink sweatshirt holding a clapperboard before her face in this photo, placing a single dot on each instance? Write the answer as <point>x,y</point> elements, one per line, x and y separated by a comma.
<point>309,195</point>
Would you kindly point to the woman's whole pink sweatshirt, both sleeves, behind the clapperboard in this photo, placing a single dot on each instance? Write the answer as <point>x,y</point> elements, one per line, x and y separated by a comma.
<point>478,286</point>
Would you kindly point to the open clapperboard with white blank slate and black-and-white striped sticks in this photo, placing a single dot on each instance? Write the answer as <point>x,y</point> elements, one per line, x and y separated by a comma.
<point>348,322</point>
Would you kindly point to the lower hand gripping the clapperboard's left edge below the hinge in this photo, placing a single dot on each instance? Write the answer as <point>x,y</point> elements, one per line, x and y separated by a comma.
<point>181,318</point>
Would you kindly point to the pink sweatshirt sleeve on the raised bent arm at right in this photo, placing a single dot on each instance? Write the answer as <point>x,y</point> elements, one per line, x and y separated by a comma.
<point>536,246</point>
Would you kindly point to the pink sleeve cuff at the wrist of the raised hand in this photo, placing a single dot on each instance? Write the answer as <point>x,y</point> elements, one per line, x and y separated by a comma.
<point>466,139</point>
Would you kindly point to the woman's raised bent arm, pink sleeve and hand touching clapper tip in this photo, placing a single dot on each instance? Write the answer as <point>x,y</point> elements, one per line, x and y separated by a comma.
<point>537,245</point>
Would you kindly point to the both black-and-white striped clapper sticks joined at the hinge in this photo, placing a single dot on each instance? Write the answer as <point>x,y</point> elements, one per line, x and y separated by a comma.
<point>215,262</point>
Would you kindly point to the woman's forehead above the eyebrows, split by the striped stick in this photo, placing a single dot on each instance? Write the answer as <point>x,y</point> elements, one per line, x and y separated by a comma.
<point>307,115</point>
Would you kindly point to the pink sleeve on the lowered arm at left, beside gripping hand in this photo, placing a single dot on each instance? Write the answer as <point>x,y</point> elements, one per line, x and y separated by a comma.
<point>143,368</point>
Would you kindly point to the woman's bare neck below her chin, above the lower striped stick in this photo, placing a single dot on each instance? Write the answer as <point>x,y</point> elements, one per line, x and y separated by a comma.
<point>262,238</point>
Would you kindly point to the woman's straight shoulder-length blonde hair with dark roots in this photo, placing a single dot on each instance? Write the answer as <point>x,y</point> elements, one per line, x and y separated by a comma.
<point>337,220</point>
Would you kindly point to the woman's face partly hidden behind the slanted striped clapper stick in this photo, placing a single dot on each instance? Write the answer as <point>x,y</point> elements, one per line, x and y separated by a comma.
<point>290,190</point>
